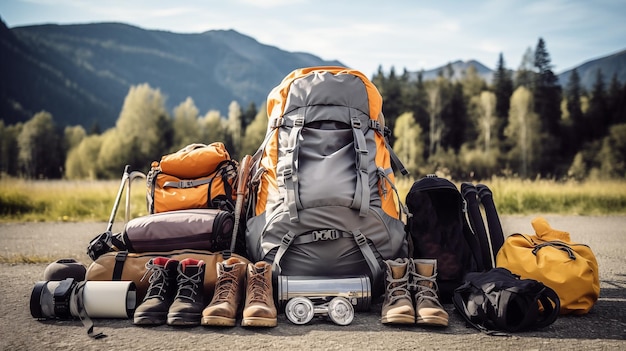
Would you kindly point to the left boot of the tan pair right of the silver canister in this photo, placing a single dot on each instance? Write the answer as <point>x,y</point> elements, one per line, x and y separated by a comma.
<point>397,306</point>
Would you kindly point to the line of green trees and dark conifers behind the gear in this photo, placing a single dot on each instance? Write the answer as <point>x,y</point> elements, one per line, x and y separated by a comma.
<point>523,123</point>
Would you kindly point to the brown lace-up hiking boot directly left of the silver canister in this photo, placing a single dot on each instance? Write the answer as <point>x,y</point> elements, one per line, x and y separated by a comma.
<point>259,309</point>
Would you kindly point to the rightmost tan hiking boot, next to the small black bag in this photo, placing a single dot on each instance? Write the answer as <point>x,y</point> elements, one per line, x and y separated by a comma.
<point>428,309</point>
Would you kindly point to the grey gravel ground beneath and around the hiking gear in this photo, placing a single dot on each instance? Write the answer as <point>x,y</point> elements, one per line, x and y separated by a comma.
<point>604,328</point>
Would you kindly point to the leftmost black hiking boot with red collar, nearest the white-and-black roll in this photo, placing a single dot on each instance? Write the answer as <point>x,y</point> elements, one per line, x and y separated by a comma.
<point>153,310</point>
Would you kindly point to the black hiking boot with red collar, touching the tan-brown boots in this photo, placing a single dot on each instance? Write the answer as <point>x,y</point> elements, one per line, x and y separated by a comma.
<point>189,301</point>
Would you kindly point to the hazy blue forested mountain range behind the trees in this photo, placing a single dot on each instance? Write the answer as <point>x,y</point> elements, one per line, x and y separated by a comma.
<point>82,73</point>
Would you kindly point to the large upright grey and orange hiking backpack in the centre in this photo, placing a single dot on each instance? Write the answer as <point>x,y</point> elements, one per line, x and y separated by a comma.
<point>322,199</point>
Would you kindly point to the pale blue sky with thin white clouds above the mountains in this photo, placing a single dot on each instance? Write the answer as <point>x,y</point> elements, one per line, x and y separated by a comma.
<point>364,34</point>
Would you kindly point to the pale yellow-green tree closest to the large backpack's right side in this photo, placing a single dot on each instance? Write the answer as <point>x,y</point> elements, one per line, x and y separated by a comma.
<point>409,145</point>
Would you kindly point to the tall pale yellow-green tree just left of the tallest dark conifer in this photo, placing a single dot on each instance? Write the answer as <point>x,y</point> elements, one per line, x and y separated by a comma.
<point>522,133</point>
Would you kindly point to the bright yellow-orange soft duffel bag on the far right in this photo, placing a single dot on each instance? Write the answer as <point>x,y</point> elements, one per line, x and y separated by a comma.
<point>570,269</point>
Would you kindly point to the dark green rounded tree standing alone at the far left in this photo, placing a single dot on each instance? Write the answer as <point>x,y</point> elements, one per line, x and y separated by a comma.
<point>39,153</point>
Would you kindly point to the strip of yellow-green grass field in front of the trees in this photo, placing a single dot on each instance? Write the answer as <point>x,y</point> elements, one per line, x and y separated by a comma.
<point>73,201</point>
